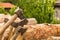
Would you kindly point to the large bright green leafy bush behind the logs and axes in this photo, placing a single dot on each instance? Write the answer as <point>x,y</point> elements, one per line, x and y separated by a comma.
<point>42,10</point>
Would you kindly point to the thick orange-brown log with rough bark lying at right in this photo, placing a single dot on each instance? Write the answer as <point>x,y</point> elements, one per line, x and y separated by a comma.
<point>38,32</point>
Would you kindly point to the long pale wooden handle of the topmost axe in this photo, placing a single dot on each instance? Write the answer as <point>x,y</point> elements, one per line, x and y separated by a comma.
<point>7,24</point>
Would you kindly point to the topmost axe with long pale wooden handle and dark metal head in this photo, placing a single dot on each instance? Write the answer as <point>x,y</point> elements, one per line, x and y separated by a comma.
<point>18,12</point>
